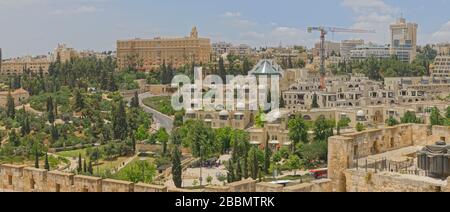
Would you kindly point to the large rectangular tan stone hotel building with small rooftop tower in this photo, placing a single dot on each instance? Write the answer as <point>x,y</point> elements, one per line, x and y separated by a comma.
<point>149,54</point>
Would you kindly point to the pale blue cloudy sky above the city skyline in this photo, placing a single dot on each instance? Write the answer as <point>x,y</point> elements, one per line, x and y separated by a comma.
<point>35,27</point>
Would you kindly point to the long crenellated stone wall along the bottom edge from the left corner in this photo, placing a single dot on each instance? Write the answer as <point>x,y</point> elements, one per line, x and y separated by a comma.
<point>19,178</point>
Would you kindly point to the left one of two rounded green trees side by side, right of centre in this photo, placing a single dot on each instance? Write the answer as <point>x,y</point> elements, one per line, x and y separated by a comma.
<point>298,131</point>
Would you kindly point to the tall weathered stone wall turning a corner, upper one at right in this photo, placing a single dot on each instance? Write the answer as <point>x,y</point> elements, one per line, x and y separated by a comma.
<point>344,149</point>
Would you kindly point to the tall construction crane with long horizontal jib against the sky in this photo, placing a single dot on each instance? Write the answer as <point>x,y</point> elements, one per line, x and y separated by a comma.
<point>323,32</point>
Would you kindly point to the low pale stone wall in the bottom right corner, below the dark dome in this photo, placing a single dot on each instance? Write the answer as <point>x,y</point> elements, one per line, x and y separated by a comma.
<point>362,181</point>
